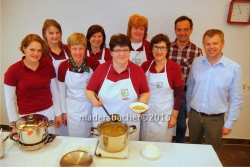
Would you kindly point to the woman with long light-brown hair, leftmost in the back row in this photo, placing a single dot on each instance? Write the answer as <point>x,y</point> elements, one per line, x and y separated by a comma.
<point>57,51</point>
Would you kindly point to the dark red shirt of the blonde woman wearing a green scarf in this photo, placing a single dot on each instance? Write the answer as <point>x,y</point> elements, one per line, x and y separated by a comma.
<point>92,63</point>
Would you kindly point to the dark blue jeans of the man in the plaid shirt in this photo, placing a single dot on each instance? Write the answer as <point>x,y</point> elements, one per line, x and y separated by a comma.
<point>181,121</point>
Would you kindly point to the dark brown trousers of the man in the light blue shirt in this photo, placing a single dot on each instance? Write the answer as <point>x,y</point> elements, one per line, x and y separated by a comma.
<point>211,127</point>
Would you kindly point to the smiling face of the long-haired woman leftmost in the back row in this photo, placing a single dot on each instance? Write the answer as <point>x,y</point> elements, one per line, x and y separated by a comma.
<point>53,35</point>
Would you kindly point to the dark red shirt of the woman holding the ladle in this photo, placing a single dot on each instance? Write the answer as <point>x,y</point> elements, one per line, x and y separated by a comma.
<point>137,77</point>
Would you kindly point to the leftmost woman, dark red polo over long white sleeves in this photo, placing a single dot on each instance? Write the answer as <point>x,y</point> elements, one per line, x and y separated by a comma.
<point>35,84</point>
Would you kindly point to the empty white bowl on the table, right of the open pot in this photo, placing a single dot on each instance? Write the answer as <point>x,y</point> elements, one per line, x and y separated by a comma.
<point>151,152</point>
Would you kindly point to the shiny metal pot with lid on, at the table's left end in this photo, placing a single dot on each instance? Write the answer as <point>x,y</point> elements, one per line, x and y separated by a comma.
<point>31,129</point>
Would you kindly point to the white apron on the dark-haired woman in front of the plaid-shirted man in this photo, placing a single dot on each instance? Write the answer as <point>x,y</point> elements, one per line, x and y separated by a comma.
<point>160,102</point>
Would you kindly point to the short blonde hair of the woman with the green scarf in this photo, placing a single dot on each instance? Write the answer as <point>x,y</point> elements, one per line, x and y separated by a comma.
<point>77,38</point>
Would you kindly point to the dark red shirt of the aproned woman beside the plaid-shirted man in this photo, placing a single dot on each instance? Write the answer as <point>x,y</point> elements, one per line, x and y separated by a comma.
<point>174,76</point>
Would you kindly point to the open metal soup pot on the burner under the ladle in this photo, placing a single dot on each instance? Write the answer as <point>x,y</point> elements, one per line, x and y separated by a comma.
<point>111,143</point>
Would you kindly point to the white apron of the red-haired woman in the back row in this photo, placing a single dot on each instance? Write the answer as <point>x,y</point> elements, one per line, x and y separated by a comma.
<point>138,57</point>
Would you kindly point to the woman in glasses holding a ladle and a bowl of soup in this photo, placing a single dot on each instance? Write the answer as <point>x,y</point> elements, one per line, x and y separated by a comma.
<point>118,83</point>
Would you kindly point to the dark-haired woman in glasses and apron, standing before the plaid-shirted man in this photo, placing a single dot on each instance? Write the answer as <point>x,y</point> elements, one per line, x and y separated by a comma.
<point>166,86</point>
